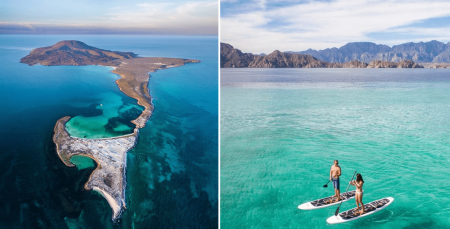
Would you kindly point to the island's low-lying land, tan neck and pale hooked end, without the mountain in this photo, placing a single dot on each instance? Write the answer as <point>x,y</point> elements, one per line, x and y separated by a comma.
<point>133,82</point>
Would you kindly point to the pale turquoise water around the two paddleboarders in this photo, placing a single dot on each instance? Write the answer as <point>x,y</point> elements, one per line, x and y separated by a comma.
<point>281,129</point>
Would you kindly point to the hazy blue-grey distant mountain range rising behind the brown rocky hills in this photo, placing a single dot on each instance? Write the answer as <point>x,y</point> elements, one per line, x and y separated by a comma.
<point>433,51</point>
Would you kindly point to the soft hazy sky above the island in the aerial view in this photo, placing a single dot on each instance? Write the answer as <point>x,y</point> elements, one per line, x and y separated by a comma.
<point>178,17</point>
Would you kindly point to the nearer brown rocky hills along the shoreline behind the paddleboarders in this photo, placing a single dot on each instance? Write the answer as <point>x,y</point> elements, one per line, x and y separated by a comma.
<point>234,58</point>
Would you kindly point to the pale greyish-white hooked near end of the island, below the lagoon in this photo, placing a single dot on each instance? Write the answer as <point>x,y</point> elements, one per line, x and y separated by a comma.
<point>109,153</point>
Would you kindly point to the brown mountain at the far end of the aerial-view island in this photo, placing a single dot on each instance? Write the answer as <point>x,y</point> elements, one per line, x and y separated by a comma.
<point>73,53</point>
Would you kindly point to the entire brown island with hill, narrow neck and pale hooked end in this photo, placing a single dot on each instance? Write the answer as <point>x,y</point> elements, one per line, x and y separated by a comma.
<point>109,153</point>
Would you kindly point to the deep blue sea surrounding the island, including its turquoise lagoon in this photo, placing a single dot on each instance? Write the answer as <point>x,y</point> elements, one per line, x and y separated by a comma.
<point>172,177</point>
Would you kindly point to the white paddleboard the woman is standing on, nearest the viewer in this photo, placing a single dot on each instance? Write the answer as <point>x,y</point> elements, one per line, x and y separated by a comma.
<point>369,208</point>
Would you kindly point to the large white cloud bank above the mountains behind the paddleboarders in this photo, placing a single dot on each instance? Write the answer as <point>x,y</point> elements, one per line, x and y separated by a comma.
<point>322,25</point>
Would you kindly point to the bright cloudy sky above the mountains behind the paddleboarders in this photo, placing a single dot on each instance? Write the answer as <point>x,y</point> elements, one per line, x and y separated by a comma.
<point>261,26</point>
